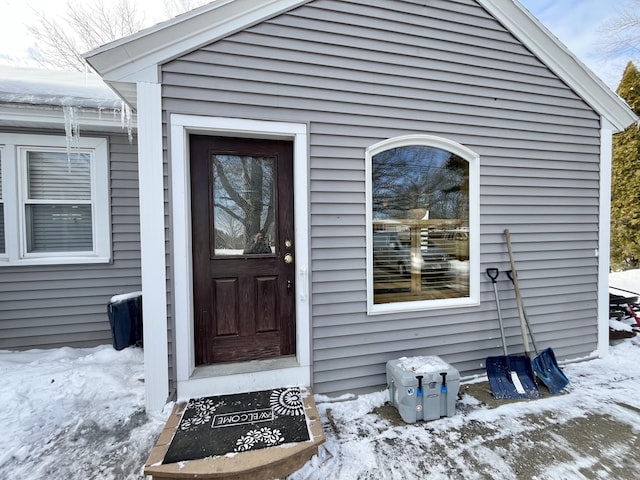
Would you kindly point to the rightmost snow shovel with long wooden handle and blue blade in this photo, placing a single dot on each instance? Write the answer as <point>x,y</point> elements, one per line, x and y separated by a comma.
<point>544,363</point>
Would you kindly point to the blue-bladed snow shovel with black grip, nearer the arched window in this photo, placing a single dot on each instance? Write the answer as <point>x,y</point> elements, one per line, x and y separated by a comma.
<point>510,376</point>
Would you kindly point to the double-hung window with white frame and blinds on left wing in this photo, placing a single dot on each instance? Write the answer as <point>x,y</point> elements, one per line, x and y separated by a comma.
<point>55,200</point>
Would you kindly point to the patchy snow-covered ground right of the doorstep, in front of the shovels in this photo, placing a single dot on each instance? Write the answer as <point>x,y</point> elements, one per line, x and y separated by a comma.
<point>590,432</point>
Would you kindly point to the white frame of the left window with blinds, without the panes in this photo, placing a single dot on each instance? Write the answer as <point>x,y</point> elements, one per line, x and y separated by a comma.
<point>13,148</point>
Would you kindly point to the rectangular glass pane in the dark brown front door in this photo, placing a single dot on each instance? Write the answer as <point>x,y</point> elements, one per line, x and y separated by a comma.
<point>243,204</point>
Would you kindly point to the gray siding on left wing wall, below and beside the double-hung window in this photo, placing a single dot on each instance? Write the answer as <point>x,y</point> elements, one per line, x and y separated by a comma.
<point>66,305</point>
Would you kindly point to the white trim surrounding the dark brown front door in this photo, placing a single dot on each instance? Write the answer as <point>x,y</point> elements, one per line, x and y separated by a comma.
<point>212,381</point>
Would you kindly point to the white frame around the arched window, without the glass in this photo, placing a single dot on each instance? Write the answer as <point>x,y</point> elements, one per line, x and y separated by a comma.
<point>473,299</point>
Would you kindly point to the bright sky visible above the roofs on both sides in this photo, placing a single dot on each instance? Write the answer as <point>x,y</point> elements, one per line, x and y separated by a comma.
<point>576,23</point>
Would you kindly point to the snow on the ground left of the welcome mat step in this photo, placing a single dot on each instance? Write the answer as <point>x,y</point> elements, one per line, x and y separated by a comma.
<point>74,414</point>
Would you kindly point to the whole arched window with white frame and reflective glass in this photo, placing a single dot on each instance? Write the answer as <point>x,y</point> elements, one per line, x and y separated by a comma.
<point>422,224</point>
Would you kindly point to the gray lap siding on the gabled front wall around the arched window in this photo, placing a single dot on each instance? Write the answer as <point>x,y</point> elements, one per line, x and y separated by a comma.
<point>359,72</point>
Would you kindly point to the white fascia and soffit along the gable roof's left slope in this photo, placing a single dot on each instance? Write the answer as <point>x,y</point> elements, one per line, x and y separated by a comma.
<point>131,57</point>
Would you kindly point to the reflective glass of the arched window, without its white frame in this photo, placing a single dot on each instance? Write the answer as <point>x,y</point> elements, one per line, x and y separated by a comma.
<point>420,227</point>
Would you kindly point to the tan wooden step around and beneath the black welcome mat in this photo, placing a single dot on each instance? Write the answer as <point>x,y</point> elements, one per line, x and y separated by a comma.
<point>262,464</point>
